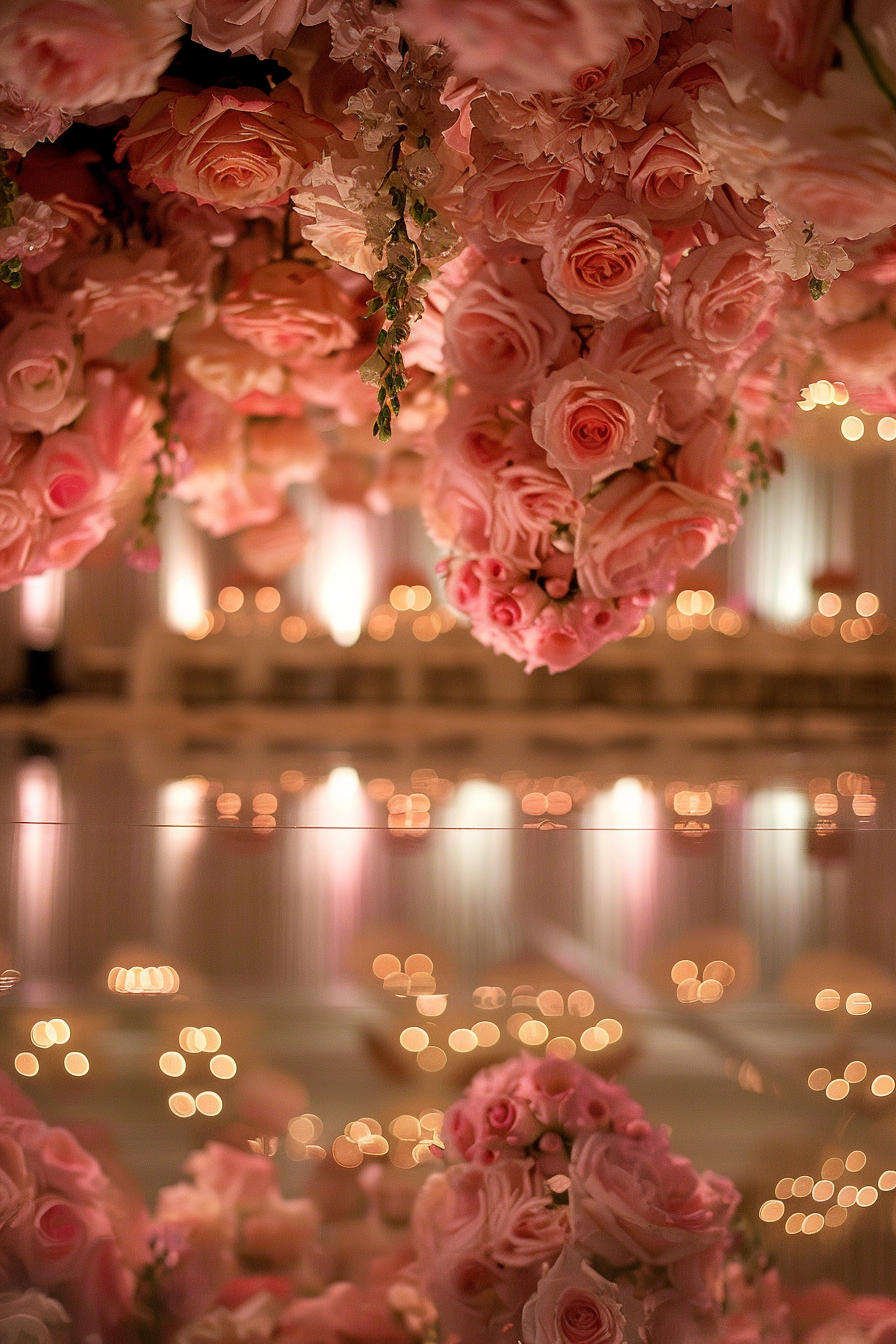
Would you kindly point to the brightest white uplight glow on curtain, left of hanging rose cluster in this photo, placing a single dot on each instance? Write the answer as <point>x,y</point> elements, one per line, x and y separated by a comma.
<point>345,581</point>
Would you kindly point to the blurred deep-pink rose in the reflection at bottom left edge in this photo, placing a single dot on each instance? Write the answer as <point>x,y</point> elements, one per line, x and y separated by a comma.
<point>56,1238</point>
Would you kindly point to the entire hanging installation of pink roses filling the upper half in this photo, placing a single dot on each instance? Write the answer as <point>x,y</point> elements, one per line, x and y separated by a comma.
<point>553,271</point>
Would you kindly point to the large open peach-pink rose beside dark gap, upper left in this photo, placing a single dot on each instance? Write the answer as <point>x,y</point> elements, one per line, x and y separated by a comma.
<point>224,147</point>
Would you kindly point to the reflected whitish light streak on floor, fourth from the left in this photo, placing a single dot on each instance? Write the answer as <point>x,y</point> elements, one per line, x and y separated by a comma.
<point>468,902</point>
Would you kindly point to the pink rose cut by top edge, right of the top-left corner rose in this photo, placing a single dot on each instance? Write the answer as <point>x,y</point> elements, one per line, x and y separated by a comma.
<point>256,26</point>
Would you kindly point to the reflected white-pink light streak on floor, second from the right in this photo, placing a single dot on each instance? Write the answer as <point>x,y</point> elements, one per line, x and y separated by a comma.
<point>620,873</point>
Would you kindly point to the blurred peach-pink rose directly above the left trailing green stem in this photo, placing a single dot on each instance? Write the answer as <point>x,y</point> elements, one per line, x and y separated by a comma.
<point>122,295</point>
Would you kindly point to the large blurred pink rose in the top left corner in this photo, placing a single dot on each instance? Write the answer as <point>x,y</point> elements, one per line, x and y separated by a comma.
<point>76,54</point>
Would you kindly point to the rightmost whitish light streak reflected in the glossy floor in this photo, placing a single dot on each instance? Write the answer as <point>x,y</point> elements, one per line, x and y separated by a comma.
<point>781,892</point>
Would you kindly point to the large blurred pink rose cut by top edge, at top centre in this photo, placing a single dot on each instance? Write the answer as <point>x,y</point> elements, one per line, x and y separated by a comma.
<point>525,45</point>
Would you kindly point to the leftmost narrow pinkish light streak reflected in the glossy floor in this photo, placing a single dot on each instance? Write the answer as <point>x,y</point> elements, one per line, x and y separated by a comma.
<point>38,843</point>
